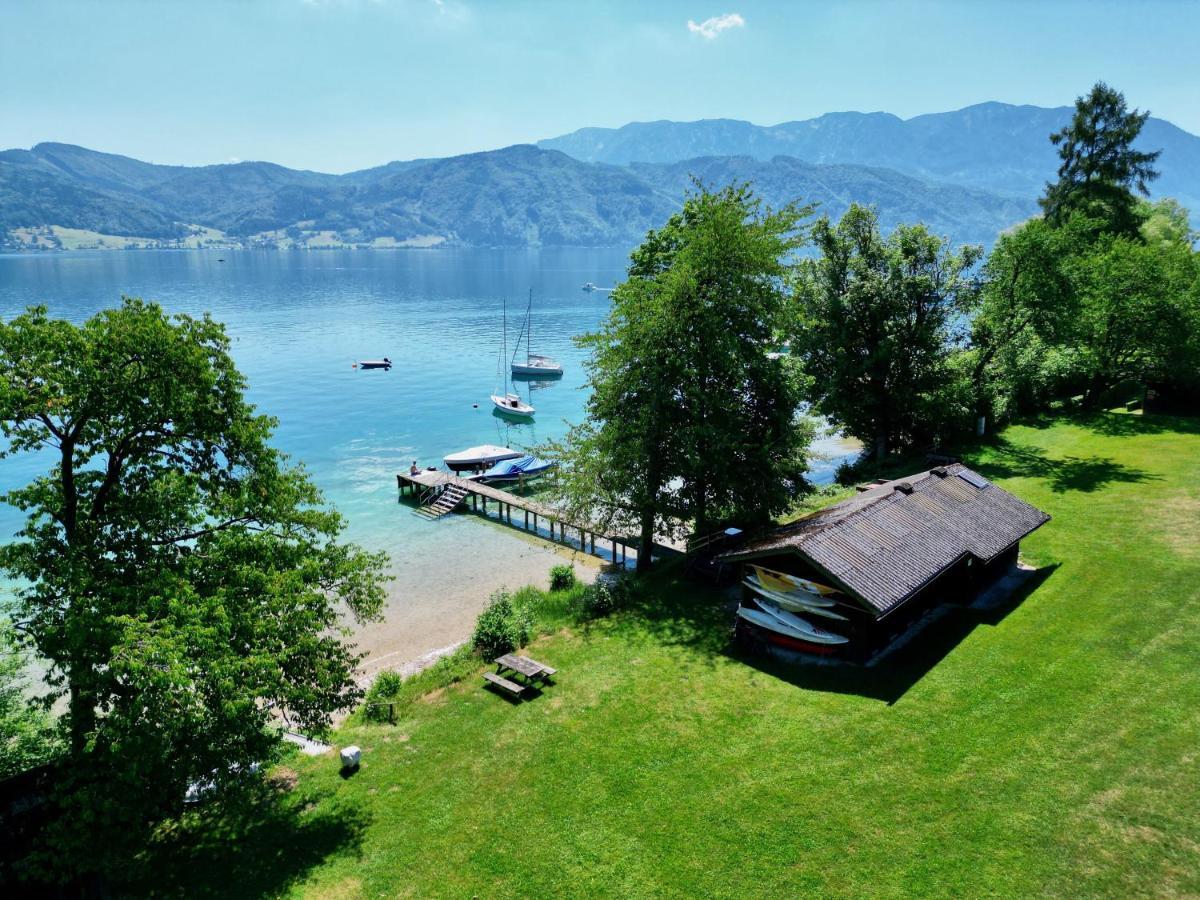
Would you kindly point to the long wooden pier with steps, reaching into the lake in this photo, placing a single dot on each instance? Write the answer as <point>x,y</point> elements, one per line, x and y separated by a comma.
<point>434,487</point>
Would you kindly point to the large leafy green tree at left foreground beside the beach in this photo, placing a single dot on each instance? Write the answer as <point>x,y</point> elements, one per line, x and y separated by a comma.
<point>182,583</point>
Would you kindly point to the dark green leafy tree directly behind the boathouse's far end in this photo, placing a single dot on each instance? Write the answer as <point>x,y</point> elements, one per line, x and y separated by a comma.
<point>875,322</point>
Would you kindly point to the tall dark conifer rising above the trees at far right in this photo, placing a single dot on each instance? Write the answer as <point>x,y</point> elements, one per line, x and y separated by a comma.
<point>1101,169</point>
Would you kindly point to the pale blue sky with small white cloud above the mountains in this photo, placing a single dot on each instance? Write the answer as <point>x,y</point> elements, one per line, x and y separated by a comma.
<point>345,85</point>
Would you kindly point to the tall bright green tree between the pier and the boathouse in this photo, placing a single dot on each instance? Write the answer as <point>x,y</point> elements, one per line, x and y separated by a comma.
<point>692,419</point>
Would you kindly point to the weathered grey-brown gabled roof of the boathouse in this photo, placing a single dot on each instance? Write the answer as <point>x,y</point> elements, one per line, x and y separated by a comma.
<point>890,542</point>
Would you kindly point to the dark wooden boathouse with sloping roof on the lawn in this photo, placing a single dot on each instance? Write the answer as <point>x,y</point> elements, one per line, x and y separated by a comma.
<point>899,549</point>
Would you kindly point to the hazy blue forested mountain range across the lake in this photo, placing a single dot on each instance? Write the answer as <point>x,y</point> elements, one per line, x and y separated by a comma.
<point>968,175</point>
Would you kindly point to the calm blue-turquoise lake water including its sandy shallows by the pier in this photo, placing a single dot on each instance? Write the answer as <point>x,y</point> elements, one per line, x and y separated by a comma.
<point>301,320</point>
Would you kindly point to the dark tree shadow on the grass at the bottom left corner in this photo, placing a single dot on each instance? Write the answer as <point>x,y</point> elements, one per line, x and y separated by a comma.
<point>259,843</point>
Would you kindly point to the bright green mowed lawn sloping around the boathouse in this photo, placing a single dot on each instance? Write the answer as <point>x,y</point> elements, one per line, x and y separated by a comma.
<point>1052,747</point>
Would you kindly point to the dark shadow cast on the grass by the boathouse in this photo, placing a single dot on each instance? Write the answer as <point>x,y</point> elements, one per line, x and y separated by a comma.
<point>909,658</point>
